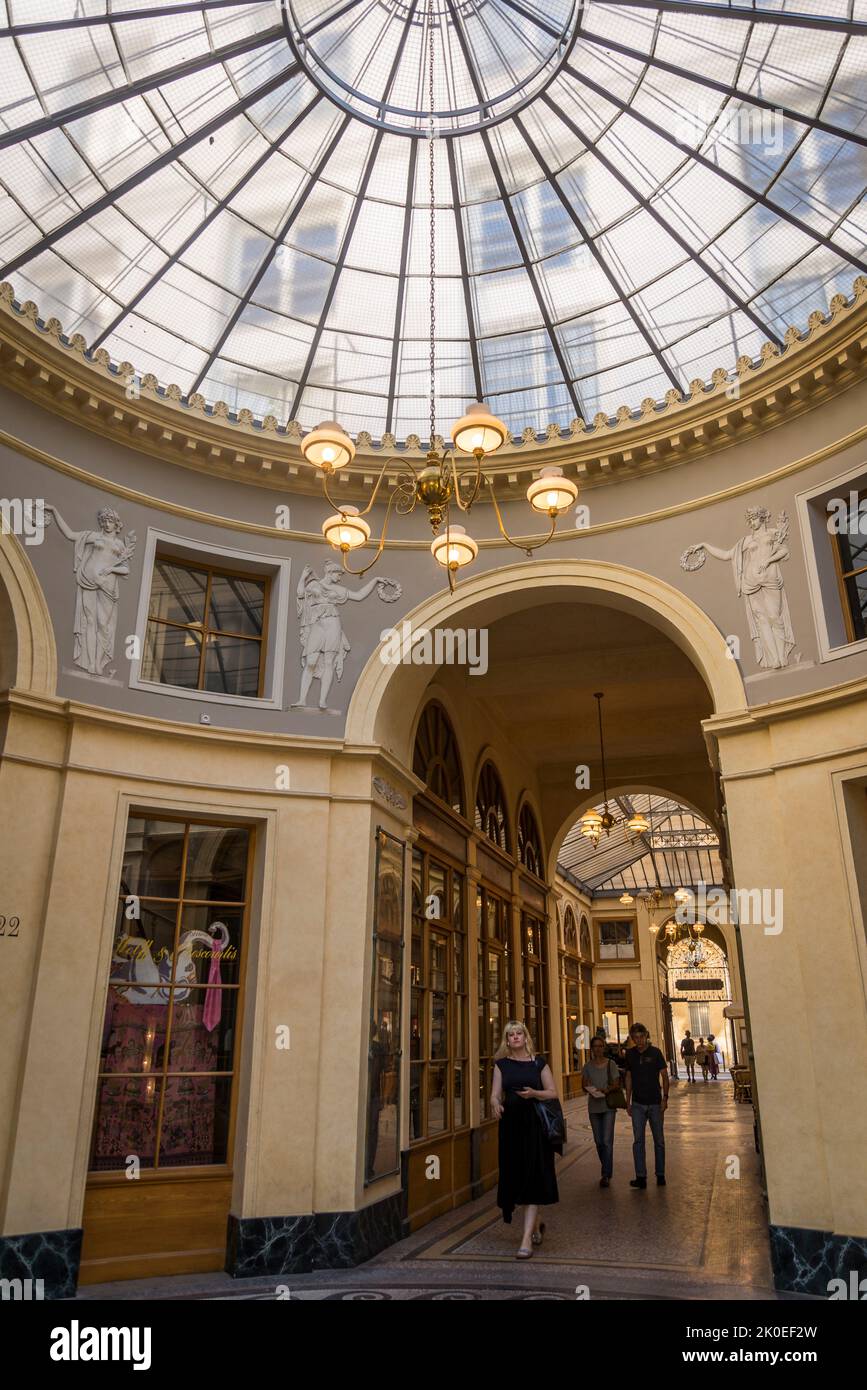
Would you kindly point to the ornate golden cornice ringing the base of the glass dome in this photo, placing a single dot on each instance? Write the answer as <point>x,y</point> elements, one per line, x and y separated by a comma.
<point>113,400</point>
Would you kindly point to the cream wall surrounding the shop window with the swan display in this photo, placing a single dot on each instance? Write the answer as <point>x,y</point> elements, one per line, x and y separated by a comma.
<point>73,774</point>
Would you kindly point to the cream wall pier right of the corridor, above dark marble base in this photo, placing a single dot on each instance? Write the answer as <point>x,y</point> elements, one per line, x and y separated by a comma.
<point>784,771</point>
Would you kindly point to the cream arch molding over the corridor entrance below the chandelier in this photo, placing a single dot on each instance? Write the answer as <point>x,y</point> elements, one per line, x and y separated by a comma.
<point>387,697</point>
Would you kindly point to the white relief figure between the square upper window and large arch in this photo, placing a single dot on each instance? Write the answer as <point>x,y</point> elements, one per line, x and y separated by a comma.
<point>324,643</point>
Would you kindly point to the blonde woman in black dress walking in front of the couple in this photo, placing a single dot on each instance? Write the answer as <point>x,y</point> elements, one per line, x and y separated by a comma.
<point>527,1159</point>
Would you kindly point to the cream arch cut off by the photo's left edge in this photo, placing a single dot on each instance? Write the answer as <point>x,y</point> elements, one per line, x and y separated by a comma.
<point>28,654</point>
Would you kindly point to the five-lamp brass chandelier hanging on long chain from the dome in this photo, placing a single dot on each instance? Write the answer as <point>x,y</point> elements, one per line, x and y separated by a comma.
<point>441,480</point>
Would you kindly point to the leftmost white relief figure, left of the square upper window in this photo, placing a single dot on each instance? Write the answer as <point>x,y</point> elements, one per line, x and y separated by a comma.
<point>99,559</point>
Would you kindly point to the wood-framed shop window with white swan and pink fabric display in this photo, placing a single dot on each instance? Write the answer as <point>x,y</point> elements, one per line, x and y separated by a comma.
<point>160,1179</point>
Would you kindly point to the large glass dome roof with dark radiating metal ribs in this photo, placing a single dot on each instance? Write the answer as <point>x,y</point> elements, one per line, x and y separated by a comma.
<point>229,194</point>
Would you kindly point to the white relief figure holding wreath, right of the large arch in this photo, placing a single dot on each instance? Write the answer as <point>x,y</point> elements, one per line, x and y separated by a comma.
<point>759,582</point>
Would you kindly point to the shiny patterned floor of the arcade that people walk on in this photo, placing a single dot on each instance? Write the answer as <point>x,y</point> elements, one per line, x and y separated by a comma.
<point>704,1236</point>
